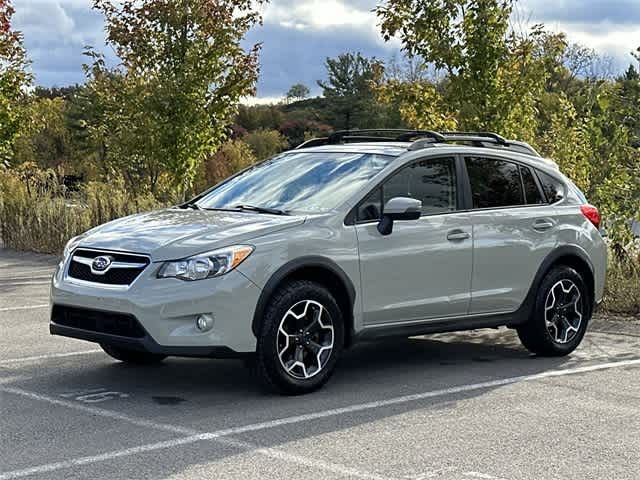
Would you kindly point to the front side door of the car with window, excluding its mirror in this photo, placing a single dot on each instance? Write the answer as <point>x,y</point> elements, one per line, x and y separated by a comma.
<point>423,269</point>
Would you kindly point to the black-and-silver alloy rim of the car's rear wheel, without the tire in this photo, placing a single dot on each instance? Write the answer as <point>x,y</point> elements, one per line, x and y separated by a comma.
<point>563,311</point>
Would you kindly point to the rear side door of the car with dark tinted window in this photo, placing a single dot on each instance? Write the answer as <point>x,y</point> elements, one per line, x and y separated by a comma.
<point>513,231</point>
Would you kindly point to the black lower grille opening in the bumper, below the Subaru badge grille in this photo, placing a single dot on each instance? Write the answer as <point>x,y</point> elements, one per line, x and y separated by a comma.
<point>112,323</point>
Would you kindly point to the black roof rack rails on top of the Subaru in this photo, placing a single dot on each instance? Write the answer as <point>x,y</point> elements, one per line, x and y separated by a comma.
<point>421,139</point>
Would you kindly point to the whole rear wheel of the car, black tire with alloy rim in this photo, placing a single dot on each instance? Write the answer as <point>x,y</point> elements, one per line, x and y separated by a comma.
<point>560,316</point>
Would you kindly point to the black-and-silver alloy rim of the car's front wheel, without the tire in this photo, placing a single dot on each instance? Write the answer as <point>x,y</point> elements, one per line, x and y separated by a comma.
<point>305,339</point>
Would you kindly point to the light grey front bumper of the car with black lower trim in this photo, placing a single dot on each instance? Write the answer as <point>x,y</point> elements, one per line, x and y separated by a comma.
<point>166,311</point>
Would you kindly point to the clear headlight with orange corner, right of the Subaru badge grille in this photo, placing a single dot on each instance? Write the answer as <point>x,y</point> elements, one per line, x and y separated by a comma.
<point>206,265</point>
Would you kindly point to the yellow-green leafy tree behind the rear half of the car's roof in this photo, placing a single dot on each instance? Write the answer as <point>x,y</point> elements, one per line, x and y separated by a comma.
<point>494,75</point>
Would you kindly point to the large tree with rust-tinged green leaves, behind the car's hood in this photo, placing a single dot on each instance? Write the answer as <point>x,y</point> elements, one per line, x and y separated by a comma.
<point>168,106</point>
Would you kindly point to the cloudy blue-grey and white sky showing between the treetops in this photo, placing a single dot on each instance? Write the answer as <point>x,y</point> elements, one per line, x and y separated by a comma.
<point>298,35</point>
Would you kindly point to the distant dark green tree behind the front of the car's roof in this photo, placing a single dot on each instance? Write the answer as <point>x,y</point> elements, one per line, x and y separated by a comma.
<point>349,90</point>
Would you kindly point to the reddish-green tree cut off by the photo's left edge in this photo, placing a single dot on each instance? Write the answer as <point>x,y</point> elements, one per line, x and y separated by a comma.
<point>14,79</point>
